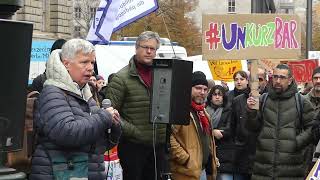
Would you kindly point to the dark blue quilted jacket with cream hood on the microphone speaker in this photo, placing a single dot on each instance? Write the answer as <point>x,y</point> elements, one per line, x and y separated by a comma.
<point>68,121</point>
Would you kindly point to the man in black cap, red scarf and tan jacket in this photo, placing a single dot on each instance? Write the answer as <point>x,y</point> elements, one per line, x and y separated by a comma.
<point>193,151</point>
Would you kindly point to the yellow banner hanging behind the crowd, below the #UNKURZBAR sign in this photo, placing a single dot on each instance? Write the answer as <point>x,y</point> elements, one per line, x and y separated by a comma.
<point>223,70</point>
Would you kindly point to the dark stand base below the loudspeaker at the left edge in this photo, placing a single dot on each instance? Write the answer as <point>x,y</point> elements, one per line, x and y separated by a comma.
<point>9,173</point>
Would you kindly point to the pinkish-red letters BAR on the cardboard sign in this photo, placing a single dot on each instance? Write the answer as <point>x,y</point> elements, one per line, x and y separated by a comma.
<point>284,34</point>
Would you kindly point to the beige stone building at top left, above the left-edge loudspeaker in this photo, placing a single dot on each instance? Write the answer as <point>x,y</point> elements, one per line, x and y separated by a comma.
<point>50,18</point>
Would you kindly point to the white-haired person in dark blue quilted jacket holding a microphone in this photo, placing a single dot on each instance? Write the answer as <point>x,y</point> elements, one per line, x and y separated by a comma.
<point>73,133</point>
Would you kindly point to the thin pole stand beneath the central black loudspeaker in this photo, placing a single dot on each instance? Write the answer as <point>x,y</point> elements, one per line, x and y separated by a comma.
<point>166,175</point>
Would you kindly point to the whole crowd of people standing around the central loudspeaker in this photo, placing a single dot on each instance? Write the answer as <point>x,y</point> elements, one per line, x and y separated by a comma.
<point>227,138</point>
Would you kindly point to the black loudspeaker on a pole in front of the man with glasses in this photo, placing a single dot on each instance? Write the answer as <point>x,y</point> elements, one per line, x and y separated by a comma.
<point>171,91</point>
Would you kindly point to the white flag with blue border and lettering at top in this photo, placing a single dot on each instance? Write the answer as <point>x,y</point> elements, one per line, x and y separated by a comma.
<point>112,15</point>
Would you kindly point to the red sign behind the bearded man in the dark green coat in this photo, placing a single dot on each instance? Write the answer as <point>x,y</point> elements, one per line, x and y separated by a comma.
<point>302,70</point>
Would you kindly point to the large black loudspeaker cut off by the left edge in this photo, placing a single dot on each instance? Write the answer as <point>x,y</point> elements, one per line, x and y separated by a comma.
<point>15,50</point>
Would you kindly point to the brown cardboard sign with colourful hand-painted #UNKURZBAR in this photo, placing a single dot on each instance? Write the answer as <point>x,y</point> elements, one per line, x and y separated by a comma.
<point>254,36</point>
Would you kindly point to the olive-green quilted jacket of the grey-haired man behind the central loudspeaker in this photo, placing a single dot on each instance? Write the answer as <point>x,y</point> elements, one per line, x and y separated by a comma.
<point>129,94</point>
